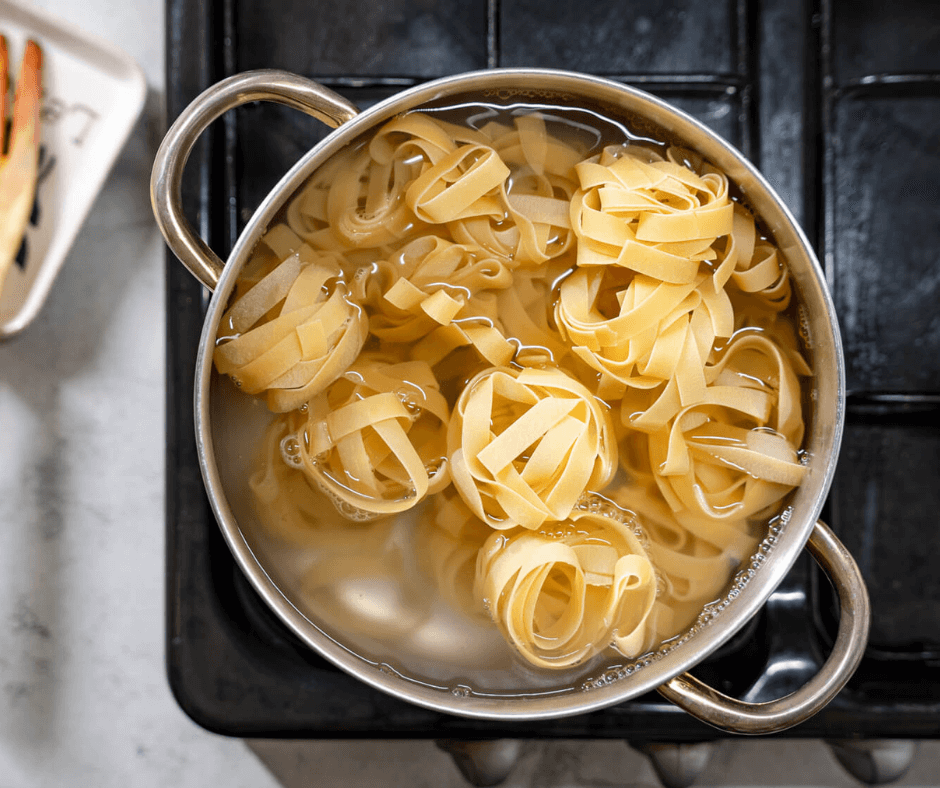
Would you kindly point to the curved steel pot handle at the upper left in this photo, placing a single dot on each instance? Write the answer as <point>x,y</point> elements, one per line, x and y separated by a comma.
<point>280,87</point>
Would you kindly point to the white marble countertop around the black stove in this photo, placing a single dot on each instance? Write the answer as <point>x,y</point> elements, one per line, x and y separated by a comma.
<point>84,698</point>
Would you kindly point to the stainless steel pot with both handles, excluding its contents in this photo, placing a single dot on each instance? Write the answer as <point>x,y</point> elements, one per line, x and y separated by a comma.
<point>801,527</point>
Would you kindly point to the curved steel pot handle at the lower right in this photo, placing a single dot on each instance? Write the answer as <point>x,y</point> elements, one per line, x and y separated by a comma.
<point>711,706</point>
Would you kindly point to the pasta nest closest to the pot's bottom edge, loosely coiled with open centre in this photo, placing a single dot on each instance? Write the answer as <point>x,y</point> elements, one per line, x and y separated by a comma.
<point>562,594</point>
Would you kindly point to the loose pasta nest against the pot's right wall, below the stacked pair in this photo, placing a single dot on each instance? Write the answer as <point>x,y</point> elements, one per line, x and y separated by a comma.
<point>733,453</point>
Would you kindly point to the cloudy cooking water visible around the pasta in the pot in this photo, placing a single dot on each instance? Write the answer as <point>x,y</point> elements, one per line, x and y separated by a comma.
<point>380,600</point>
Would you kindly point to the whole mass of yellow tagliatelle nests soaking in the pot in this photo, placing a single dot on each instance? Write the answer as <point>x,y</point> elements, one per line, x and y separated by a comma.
<point>514,326</point>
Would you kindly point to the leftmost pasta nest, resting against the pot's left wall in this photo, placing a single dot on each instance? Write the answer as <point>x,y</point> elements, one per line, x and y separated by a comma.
<point>294,332</point>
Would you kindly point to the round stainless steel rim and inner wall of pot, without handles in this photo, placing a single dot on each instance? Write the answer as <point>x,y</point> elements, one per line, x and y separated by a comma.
<point>829,387</point>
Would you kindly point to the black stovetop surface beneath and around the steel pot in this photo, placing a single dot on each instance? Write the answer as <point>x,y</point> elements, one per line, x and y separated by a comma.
<point>839,106</point>
